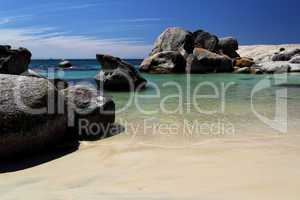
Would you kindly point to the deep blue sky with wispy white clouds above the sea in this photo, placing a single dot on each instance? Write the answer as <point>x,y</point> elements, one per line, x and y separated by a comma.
<point>128,28</point>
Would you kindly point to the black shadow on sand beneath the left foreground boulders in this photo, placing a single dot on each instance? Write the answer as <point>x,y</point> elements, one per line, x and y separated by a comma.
<point>29,161</point>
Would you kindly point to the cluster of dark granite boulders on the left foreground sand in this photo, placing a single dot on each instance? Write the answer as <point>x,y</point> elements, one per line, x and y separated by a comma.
<point>35,115</point>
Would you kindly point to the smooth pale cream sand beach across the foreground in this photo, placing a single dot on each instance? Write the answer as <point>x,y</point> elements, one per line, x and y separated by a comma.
<point>261,168</point>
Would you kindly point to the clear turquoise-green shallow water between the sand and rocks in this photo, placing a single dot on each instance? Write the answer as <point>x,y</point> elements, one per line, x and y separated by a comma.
<point>169,101</point>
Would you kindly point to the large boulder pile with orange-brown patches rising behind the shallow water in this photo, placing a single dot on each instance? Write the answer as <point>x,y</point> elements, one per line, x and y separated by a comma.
<point>180,51</point>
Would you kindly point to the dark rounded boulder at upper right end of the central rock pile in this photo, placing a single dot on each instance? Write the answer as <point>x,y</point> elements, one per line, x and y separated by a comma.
<point>229,46</point>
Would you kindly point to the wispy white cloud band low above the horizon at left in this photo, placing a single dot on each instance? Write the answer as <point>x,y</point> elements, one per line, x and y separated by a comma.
<point>46,43</point>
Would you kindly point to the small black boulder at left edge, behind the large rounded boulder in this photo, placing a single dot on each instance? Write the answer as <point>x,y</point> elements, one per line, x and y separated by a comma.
<point>14,61</point>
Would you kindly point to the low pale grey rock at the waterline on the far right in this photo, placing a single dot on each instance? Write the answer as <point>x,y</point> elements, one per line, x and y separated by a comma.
<point>275,67</point>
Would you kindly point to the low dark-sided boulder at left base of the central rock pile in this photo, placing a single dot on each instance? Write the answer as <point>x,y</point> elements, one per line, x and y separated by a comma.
<point>164,63</point>
